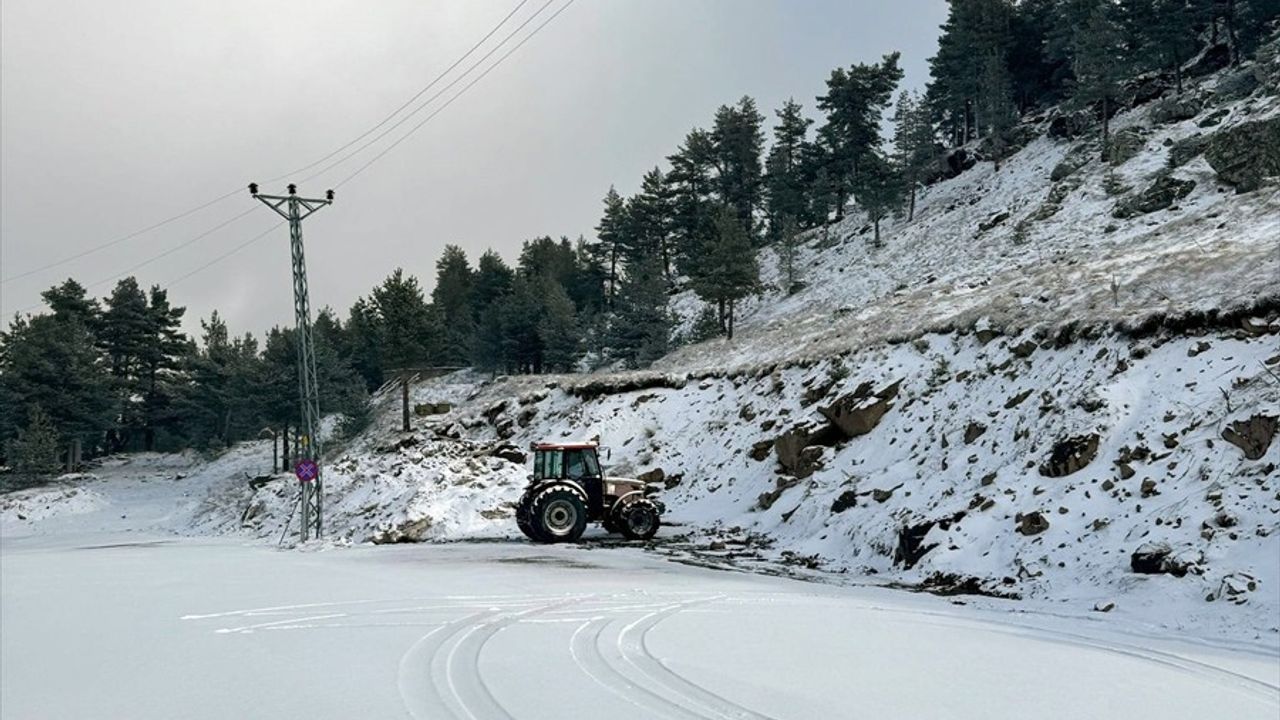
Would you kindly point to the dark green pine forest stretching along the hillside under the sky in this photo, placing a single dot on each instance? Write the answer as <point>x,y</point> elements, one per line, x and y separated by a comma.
<point>118,375</point>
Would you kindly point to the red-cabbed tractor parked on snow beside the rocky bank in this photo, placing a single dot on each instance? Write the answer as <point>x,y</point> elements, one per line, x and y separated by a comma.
<point>569,490</point>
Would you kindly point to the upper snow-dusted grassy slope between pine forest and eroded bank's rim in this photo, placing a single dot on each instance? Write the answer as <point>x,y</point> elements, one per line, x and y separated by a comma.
<point>1035,244</point>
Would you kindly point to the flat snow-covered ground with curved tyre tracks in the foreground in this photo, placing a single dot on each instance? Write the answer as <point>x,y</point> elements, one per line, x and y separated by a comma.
<point>131,626</point>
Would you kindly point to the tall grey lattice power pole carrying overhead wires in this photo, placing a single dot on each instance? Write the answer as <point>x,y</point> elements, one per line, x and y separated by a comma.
<point>296,209</point>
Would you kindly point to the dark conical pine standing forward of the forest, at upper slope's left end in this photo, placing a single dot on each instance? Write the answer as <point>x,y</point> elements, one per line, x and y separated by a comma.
<point>728,271</point>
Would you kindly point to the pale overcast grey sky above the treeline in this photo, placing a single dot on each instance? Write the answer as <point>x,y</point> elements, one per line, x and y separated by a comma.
<point>116,116</point>
